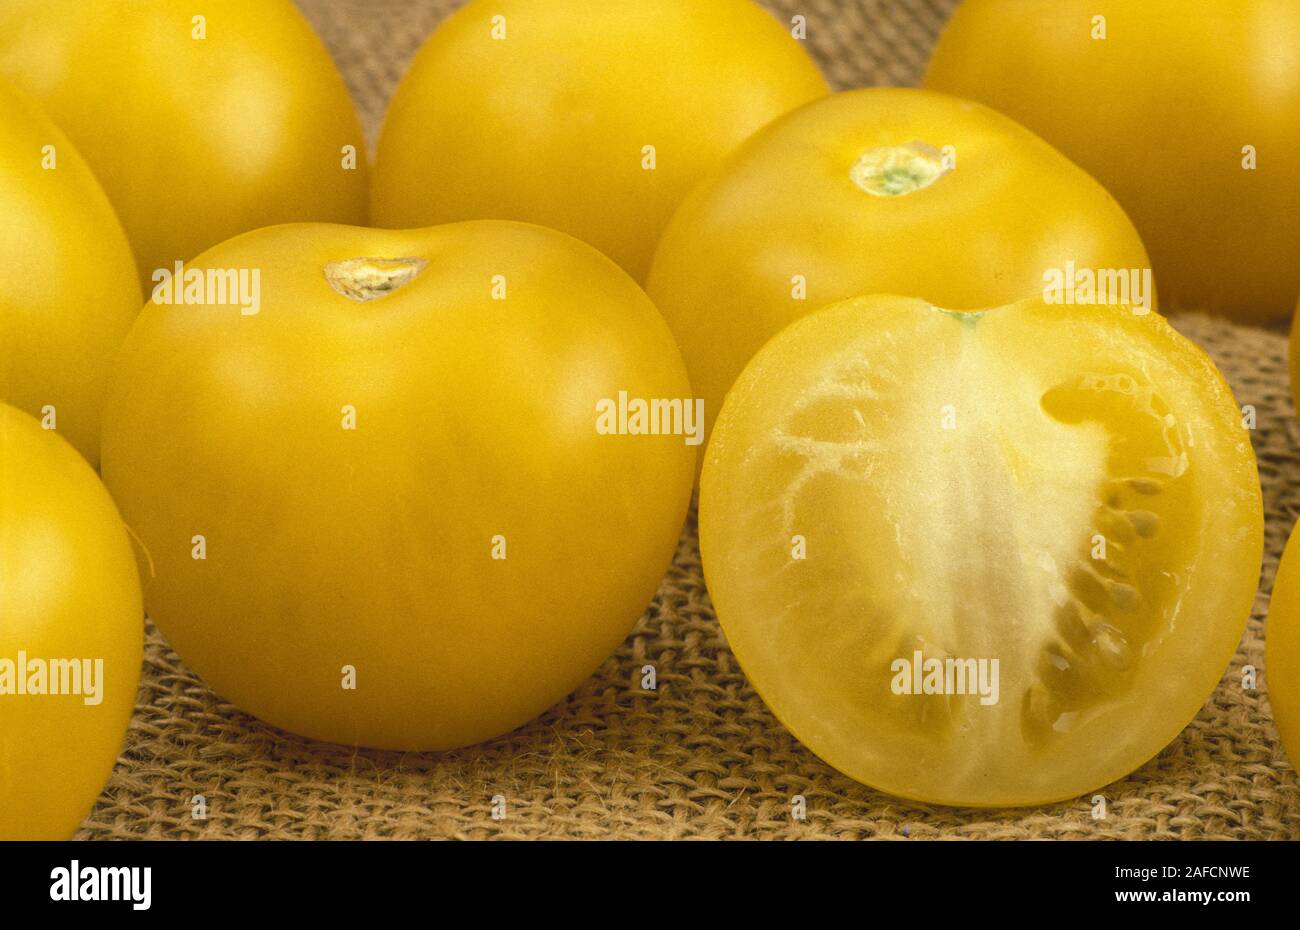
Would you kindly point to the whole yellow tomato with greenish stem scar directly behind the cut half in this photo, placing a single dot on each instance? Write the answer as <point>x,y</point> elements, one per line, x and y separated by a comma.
<point>887,191</point>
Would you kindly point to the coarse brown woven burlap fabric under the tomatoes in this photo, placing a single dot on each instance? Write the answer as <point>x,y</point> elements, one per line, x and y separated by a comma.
<point>703,756</point>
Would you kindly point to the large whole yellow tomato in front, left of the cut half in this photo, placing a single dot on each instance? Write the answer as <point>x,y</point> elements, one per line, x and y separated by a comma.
<point>395,500</point>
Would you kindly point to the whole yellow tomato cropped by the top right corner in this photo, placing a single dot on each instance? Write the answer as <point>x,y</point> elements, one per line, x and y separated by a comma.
<point>1188,111</point>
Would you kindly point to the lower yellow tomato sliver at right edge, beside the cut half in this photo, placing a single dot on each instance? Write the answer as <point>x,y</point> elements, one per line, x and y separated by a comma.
<point>1282,644</point>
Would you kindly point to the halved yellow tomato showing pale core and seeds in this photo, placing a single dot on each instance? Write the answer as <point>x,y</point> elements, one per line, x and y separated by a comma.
<point>982,559</point>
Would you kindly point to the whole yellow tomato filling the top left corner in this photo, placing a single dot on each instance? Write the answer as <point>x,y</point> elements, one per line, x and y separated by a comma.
<point>201,120</point>
